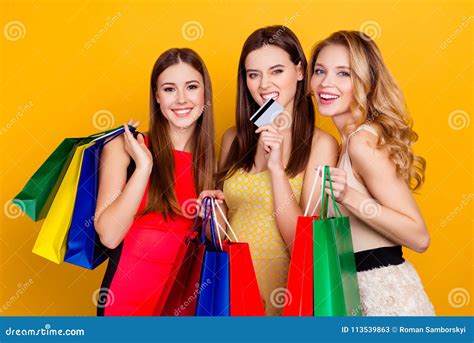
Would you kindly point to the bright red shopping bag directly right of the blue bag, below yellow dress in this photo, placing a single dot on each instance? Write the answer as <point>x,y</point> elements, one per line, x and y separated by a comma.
<point>245,298</point>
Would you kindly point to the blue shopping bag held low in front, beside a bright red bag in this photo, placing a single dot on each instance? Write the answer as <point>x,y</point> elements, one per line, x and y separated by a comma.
<point>214,286</point>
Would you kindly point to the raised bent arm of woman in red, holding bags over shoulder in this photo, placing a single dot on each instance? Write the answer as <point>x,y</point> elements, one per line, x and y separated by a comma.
<point>118,200</point>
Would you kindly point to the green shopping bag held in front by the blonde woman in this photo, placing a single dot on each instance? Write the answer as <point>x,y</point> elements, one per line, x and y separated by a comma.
<point>336,291</point>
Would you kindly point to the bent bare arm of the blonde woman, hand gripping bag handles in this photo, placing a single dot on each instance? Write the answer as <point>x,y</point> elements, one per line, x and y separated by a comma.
<point>394,213</point>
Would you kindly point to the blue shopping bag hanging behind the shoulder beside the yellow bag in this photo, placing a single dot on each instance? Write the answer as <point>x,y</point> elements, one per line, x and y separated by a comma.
<point>84,248</point>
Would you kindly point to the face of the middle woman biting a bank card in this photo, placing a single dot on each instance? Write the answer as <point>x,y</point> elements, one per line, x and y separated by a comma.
<point>271,74</point>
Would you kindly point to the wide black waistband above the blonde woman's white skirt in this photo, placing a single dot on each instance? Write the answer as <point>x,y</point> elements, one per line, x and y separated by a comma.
<point>380,257</point>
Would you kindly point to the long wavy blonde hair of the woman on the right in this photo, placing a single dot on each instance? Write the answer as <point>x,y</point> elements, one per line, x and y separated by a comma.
<point>378,101</point>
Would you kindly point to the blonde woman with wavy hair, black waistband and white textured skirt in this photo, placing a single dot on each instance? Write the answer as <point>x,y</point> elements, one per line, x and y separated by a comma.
<point>376,172</point>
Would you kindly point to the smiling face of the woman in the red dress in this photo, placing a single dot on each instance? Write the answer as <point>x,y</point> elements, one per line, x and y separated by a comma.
<point>180,94</point>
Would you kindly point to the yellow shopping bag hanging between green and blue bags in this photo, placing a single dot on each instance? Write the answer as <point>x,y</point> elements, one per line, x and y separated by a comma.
<point>52,239</point>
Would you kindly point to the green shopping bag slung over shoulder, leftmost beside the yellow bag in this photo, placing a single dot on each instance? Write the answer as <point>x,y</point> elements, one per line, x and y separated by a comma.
<point>36,197</point>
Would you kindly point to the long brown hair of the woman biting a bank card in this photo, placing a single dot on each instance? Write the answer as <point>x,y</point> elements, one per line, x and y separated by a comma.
<point>244,147</point>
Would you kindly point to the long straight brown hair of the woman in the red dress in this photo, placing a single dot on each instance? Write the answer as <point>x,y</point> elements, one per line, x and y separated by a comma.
<point>161,194</point>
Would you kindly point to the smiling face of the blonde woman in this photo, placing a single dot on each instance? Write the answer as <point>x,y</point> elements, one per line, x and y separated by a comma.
<point>331,81</point>
